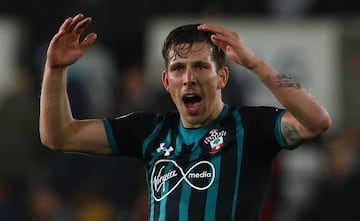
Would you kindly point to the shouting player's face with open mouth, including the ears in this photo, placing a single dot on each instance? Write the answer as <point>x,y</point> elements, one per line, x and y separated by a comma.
<point>195,84</point>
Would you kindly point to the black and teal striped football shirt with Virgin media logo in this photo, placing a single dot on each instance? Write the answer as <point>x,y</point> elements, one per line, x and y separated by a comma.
<point>217,172</point>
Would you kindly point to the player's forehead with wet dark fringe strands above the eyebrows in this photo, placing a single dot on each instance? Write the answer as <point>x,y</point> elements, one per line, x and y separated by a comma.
<point>186,50</point>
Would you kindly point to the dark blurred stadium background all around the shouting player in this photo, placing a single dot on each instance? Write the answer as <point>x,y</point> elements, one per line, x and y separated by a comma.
<point>315,41</point>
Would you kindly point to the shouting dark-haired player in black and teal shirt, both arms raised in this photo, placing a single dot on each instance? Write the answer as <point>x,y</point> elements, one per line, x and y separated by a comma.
<point>207,161</point>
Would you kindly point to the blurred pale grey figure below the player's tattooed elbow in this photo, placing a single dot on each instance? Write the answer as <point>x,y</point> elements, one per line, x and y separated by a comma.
<point>296,177</point>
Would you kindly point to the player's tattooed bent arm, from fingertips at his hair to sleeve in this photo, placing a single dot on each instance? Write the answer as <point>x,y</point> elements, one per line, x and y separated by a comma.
<point>305,117</point>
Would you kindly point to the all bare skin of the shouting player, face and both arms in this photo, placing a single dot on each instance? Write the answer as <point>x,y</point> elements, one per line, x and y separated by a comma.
<point>195,73</point>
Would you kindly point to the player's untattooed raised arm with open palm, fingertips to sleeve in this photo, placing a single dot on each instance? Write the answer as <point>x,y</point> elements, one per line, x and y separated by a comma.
<point>58,129</point>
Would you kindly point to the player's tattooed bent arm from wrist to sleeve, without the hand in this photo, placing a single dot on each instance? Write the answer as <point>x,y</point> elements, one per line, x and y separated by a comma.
<point>305,117</point>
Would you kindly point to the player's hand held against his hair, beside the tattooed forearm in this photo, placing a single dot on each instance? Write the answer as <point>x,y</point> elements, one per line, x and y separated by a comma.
<point>231,43</point>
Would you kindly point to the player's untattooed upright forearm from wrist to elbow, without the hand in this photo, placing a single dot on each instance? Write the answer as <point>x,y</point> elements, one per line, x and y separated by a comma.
<point>55,111</point>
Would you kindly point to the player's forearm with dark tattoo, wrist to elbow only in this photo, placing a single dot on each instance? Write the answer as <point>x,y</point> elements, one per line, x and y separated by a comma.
<point>295,99</point>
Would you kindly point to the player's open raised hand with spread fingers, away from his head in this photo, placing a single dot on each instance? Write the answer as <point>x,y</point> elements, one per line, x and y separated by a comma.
<point>66,47</point>
